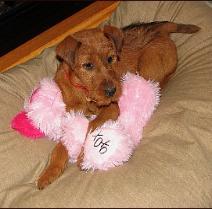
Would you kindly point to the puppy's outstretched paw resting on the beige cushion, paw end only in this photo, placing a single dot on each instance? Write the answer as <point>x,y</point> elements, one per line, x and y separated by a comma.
<point>48,177</point>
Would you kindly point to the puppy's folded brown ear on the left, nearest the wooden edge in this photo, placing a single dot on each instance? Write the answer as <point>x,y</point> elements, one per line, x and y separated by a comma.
<point>66,50</point>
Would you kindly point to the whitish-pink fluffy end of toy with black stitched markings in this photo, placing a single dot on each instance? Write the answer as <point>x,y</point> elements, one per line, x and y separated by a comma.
<point>107,147</point>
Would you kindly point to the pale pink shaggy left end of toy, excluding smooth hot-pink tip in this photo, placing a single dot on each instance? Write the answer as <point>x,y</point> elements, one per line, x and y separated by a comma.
<point>45,107</point>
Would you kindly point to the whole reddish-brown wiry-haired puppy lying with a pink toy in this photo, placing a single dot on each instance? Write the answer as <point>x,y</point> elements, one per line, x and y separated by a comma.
<point>92,64</point>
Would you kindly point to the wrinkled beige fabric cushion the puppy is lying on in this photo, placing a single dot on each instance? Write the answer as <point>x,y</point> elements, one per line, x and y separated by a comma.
<point>172,166</point>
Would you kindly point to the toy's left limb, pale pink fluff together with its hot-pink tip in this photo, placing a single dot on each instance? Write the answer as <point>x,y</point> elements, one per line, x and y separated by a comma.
<point>43,112</point>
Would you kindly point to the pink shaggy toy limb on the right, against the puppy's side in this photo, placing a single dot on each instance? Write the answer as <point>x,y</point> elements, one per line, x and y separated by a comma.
<point>137,103</point>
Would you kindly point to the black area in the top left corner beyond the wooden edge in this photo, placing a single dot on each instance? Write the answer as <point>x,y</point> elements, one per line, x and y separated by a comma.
<point>20,21</point>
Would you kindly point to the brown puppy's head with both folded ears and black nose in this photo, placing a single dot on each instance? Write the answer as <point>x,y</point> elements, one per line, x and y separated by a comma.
<point>92,56</point>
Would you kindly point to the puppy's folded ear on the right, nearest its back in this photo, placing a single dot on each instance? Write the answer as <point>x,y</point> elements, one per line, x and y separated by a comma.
<point>116,35</point>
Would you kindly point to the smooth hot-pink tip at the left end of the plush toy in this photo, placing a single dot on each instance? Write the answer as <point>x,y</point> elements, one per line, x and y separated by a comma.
<point>23,125</point>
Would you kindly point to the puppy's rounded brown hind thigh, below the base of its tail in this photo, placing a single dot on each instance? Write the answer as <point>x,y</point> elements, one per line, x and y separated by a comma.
<point>158,60</point>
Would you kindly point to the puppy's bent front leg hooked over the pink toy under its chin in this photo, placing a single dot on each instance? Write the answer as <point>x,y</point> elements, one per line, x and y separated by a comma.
<point>110,112</point>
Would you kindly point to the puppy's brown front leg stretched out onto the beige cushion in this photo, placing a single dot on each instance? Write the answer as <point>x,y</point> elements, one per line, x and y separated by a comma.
<point>58,162</point>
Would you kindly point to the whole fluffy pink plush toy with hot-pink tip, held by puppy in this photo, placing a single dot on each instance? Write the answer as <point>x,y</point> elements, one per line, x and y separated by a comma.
<point>108,146</point>
